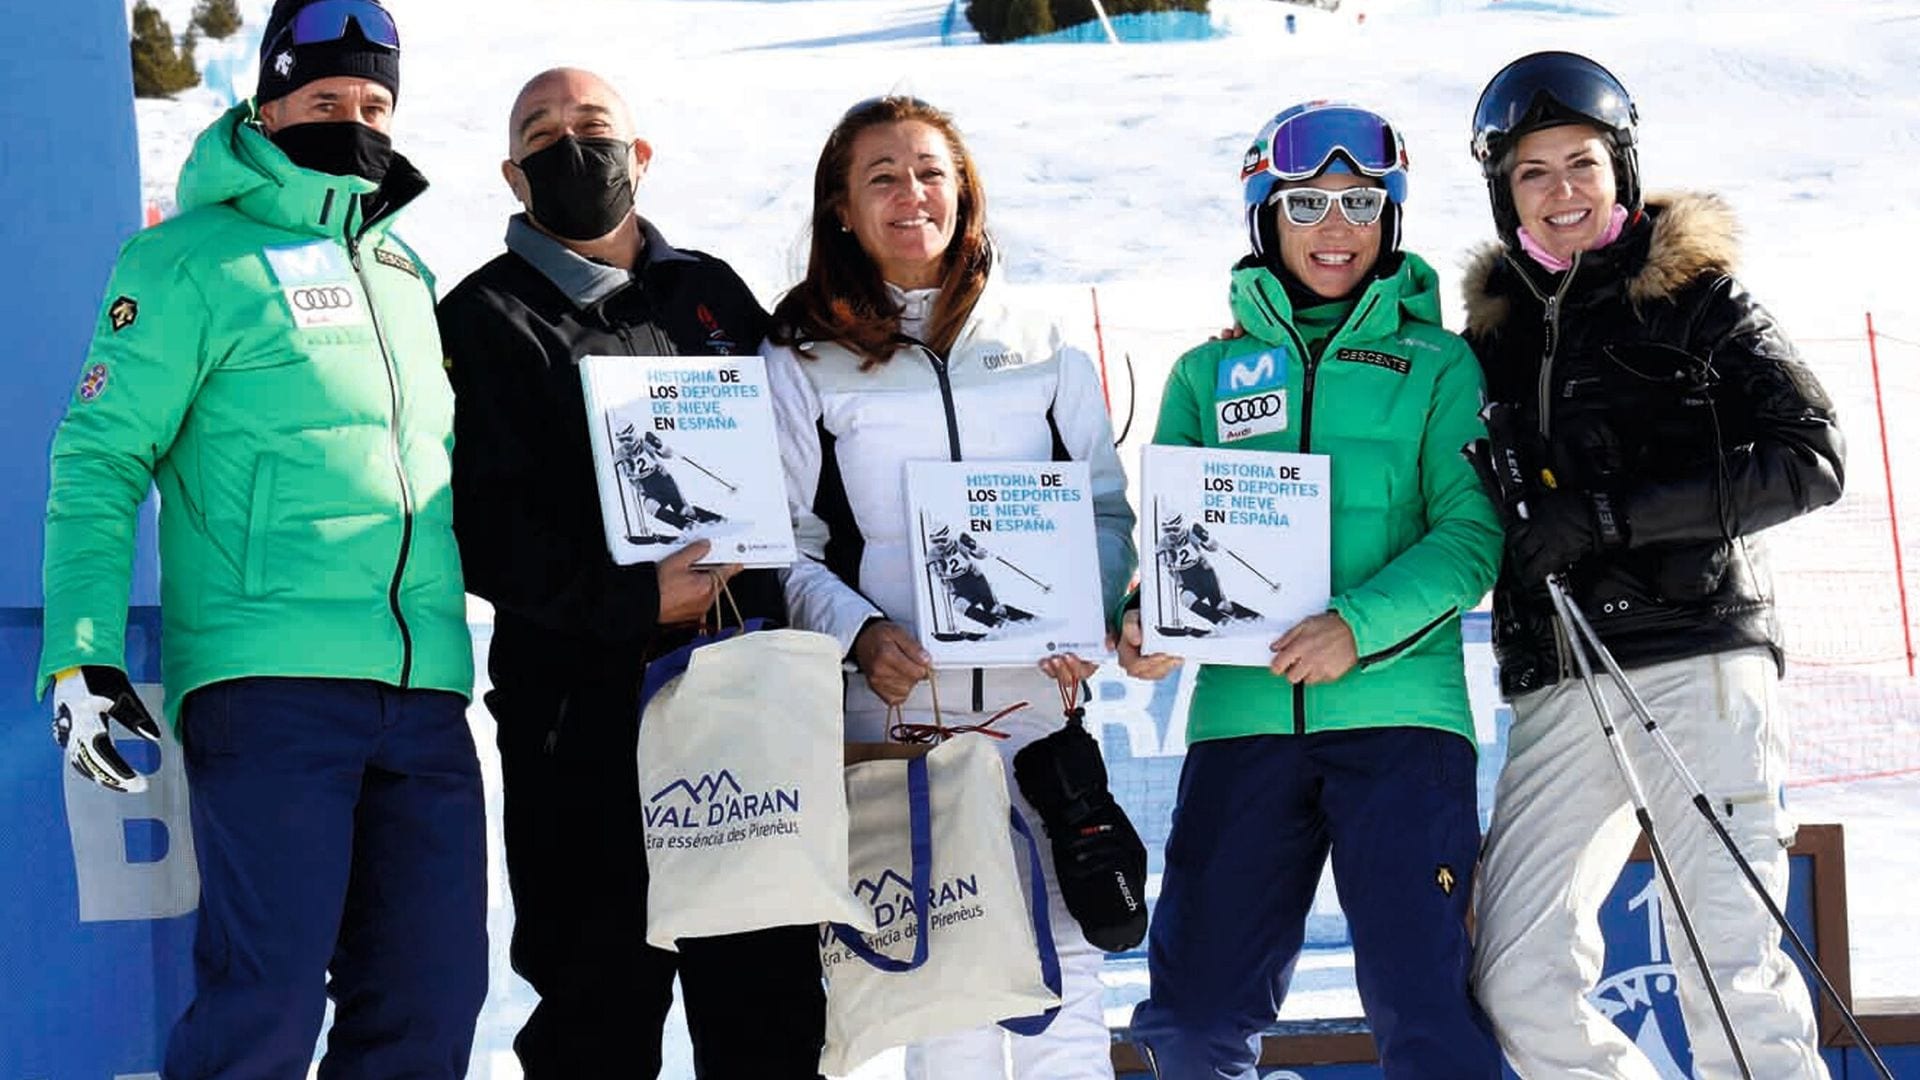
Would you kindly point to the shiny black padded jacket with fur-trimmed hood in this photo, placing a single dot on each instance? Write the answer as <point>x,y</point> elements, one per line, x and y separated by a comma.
<point>1677,422</point>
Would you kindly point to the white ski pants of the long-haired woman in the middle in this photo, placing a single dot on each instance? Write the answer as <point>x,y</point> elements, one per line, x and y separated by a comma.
<point>1076,1046</point>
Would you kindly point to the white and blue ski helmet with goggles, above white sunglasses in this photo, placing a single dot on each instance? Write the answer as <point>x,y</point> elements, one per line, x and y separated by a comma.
<point>1318,137</point>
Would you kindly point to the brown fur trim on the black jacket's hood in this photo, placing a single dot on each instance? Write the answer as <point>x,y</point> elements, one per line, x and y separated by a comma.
<point>1694,235</point>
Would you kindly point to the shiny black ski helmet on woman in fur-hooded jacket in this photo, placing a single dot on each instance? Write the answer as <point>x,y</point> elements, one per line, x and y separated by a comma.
<point>1550,89</point>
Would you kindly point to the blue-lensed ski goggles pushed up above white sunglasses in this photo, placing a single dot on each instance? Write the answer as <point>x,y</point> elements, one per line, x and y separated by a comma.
<point>1307,141</point>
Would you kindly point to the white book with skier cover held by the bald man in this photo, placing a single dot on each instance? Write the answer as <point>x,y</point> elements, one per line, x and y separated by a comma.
<point>684,451</point>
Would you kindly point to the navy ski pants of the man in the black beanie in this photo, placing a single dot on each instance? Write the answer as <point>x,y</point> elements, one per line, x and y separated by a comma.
<point>341,837</point>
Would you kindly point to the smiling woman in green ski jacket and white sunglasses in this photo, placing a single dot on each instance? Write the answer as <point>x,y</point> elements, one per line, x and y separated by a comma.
<point>1358,737</point>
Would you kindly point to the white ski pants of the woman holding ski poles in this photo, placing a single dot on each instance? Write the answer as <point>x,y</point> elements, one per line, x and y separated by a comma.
<point>1562,831</point>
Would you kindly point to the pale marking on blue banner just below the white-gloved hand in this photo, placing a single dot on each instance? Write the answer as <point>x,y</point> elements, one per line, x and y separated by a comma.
<point>112,885</point>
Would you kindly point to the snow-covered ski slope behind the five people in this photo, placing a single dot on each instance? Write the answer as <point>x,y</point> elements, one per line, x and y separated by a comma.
<point>1118,166</point>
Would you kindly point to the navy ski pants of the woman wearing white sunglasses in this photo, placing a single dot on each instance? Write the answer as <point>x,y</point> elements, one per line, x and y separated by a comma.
<point>1253,829</point>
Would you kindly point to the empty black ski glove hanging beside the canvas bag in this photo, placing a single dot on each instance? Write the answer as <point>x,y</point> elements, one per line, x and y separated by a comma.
<point>1099,858</point>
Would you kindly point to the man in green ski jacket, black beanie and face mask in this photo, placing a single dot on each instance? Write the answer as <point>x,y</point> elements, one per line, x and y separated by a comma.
<point>270,360</point>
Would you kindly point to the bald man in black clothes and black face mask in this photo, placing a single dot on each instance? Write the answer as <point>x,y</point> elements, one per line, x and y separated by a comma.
<point>585,276</point>
